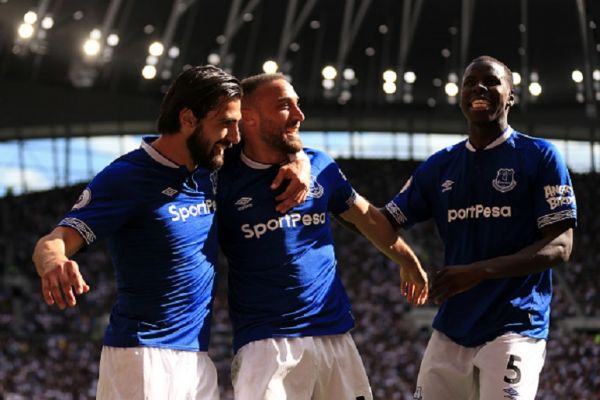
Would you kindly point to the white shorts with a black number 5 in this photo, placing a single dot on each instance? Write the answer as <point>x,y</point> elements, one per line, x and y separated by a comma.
<point>508,367</point>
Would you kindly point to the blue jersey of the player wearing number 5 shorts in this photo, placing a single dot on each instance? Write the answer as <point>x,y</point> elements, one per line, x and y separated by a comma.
<point>487,204</point>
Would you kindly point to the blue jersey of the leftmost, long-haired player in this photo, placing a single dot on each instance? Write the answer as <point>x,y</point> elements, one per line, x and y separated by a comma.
<point>158,220</point>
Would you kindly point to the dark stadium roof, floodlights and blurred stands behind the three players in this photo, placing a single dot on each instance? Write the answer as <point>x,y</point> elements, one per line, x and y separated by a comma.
<point>57,101</point>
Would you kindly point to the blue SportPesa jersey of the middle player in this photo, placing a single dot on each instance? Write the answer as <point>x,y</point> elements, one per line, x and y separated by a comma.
<point>282,267</point>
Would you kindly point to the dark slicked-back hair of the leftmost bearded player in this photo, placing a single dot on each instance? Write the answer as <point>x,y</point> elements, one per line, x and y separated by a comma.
<point>198,88</point>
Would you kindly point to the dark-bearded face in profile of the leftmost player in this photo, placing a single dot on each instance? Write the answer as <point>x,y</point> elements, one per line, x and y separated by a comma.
<point>217,131</point>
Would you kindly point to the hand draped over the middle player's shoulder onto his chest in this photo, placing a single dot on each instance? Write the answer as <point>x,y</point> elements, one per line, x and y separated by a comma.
<point>297,172</point>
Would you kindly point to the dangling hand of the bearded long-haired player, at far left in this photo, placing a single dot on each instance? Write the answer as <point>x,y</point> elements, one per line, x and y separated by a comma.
<point>61,281</point>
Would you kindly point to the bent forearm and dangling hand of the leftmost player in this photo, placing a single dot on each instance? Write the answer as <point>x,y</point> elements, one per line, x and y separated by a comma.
<point>59,275</point>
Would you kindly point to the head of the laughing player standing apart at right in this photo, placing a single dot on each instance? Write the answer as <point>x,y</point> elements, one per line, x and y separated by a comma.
<point>486,94</point>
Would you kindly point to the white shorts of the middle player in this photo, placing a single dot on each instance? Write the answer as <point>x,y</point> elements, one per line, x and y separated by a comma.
<point>303,368</point>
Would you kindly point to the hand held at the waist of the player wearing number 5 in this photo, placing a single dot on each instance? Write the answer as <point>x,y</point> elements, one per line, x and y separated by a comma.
<point>453,280</point>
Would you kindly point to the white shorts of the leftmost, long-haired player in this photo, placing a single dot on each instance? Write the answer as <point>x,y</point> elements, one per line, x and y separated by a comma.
<point>134,373</point>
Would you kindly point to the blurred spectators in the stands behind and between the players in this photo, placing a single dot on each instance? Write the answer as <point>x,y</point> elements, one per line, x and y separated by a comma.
<point>51,354</point>
